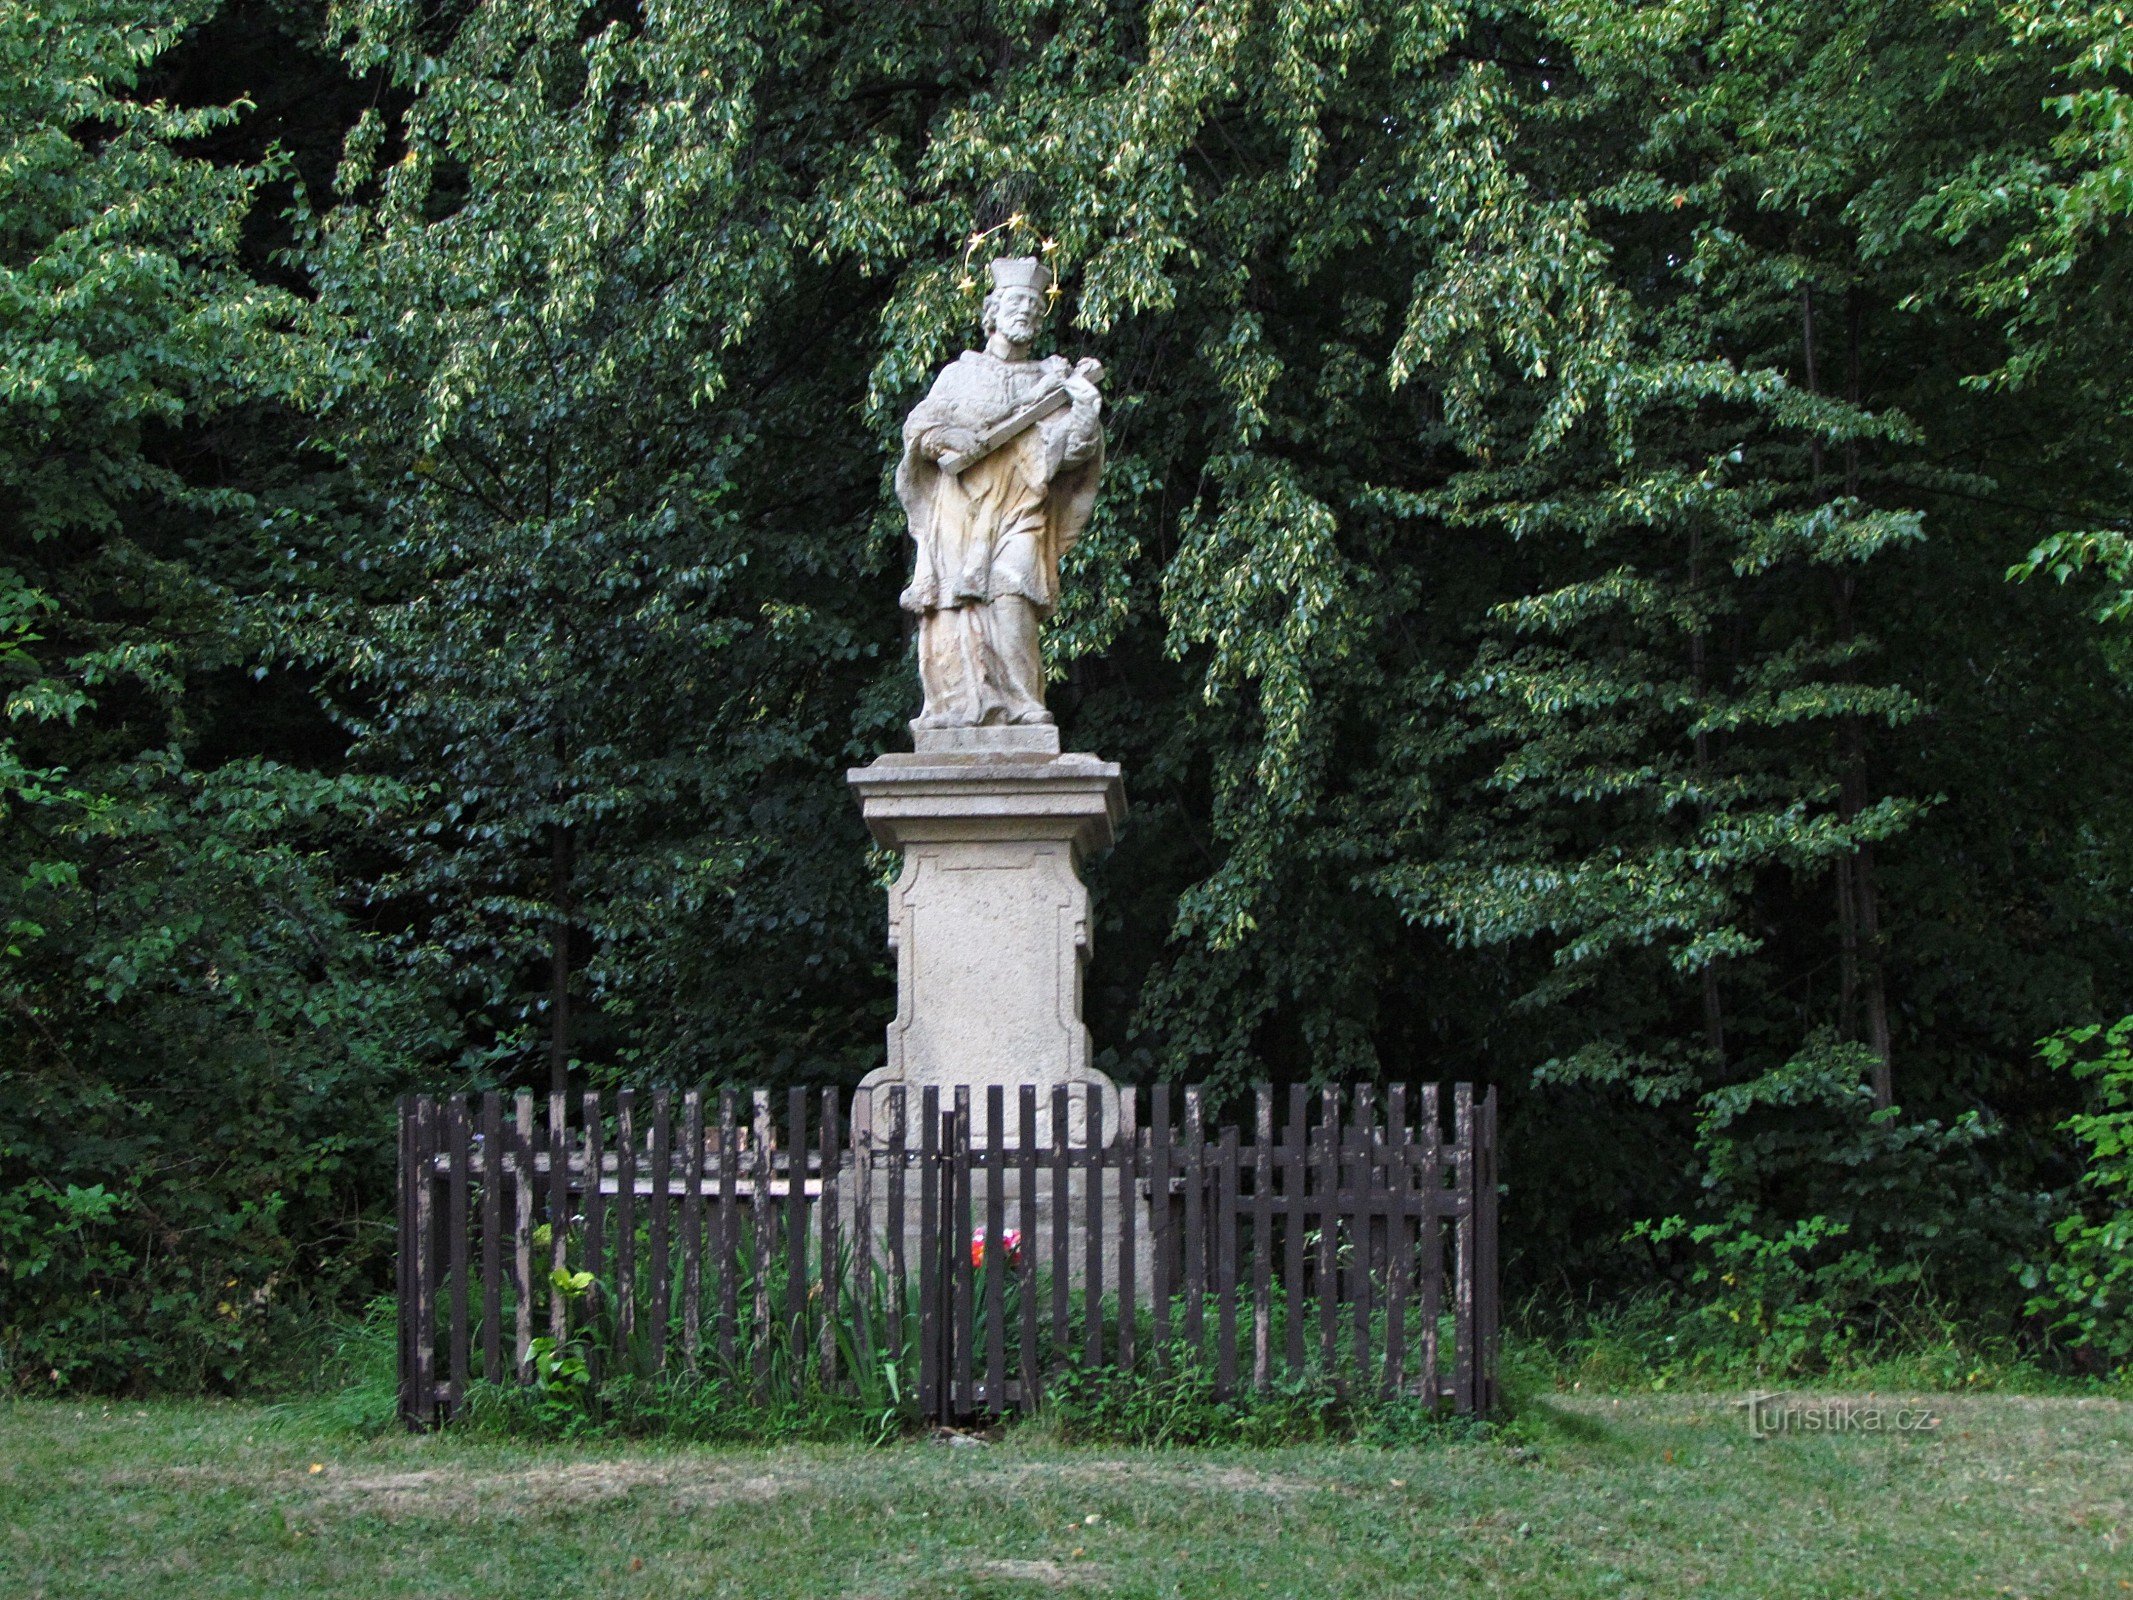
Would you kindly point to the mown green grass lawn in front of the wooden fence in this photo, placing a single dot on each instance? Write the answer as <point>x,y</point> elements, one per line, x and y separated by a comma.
<point>1586,1497</point>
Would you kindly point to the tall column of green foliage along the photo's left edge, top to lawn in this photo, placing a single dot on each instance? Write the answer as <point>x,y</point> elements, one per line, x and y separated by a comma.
<point>195,1038</point>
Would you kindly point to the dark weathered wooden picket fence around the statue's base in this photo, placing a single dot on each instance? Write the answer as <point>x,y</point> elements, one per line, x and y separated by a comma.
<point>969,1260</point>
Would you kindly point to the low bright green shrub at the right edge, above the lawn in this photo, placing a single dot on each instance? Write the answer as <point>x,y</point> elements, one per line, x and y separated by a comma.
<point>2087,1285</point>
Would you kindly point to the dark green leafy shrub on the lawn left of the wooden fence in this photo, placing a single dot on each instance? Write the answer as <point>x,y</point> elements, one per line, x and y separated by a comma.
<point>195,1113</point>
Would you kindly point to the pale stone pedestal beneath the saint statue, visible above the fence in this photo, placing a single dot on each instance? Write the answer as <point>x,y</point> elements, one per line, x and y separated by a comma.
<point>989,916</point>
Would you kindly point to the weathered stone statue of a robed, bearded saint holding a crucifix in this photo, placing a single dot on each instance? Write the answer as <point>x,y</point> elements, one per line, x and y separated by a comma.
<point>999,477</point>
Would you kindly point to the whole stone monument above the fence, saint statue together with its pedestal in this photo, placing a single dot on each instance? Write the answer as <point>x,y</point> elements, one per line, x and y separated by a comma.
<point>989,916</point>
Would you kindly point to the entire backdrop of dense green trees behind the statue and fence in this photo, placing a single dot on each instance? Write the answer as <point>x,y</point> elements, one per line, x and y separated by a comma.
<point>1547,592</point>
